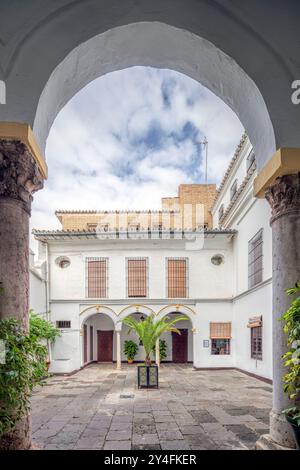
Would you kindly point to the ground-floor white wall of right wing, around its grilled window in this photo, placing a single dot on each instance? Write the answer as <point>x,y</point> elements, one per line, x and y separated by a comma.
<point>256,303</point>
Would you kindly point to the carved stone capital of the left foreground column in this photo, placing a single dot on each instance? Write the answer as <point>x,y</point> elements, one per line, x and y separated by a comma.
<point>20,175</point>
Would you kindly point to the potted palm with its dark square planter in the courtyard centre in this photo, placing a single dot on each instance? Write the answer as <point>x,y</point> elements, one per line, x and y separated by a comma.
<point>149,331</point>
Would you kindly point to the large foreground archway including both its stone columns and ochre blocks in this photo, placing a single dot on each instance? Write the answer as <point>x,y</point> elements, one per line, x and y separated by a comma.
<point>260,96</point>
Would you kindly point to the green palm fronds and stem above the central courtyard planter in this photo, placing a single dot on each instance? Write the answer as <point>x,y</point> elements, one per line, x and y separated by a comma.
<point>149,331</point>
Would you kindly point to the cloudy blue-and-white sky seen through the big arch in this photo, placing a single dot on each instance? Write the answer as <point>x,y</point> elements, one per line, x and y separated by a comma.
<point>130,138</point>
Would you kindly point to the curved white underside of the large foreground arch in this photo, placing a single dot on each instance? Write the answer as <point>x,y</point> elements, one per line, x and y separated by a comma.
<point>162,46</point>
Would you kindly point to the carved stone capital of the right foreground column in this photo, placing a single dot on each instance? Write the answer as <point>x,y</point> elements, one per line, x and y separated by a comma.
<point>284,195</point>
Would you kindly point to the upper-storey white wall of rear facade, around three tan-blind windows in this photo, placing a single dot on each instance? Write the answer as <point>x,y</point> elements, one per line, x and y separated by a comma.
<point>205,279</point>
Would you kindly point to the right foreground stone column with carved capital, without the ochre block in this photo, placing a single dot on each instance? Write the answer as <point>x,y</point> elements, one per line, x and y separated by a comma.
<point>284,199</point>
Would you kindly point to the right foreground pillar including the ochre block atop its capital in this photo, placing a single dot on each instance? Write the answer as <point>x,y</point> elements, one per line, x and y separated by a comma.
<point>280,183</point>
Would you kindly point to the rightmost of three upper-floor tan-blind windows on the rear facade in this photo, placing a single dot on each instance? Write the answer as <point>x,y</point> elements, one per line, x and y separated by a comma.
<point>177,277</point>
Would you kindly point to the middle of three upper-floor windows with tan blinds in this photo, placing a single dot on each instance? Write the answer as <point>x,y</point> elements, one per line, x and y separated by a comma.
<point>137,277</point>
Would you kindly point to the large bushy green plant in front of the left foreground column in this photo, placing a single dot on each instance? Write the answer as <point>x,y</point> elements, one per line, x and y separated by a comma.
<point>24,366</point>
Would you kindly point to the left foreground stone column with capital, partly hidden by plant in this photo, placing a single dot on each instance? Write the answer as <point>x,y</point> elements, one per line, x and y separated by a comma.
<point>19,179</point>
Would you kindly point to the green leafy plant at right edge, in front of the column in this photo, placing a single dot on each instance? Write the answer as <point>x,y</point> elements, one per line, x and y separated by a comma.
<point>291,320</point>
